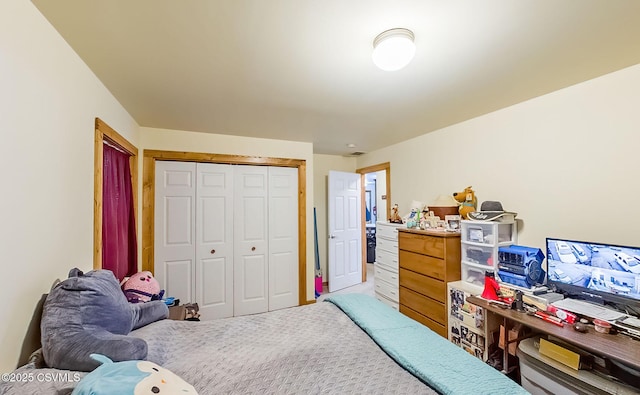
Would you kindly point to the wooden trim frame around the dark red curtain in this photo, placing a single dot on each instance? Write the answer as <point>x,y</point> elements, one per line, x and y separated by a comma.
<point>104,133</point>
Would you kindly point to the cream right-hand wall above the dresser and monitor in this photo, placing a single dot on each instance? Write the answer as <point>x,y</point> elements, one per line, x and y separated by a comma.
<point>566,162</point>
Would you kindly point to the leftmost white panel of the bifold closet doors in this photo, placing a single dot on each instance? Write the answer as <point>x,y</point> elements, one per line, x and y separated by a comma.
<point>174,232</point>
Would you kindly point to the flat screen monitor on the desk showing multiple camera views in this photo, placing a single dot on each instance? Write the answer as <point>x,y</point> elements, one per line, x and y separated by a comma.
<point>601,273</point>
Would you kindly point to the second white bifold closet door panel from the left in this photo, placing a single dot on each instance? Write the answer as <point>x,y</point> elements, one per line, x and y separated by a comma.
<point>214,240</point>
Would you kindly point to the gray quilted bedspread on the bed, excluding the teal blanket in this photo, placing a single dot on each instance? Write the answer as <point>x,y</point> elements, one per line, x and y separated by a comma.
<point>314,349</point>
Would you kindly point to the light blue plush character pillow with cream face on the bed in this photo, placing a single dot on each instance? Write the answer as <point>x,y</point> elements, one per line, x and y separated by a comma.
<point>131,377</point>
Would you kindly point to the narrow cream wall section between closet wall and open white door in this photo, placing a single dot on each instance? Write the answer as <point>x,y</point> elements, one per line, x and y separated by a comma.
<point>322,165</point>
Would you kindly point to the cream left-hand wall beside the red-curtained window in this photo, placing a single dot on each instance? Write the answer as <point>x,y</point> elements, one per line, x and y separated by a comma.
<point>48,102</point>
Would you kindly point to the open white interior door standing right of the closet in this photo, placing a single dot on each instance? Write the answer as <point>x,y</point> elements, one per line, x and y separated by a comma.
<point>345,230</point>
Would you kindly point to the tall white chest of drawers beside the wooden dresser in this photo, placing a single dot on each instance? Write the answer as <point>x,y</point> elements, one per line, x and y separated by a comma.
<point>386,265</point>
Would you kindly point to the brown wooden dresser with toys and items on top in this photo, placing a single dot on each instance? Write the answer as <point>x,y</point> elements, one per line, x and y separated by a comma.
<point>428,260</point>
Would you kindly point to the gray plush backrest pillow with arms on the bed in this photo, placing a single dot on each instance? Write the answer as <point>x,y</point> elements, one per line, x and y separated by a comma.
<point>89,314</point>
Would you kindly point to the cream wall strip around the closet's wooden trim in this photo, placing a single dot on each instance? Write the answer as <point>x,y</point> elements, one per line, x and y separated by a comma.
<point>173,140</point>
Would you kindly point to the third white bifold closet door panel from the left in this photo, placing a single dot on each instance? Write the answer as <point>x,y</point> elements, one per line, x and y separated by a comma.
<point>250,240</point>
